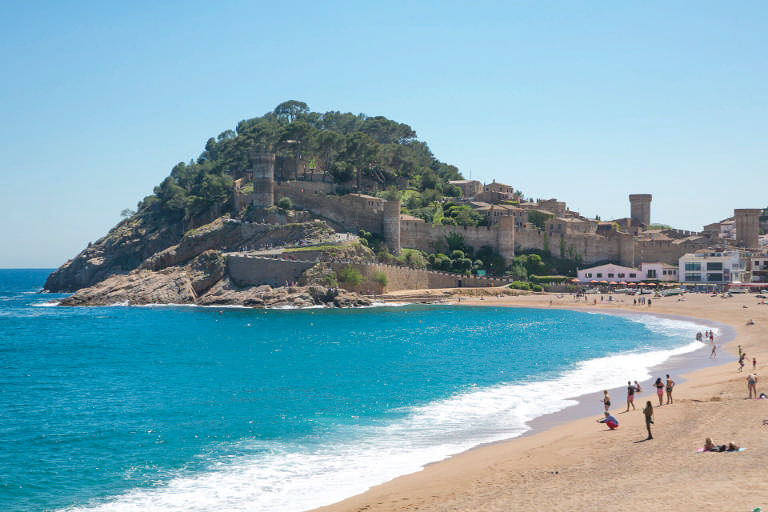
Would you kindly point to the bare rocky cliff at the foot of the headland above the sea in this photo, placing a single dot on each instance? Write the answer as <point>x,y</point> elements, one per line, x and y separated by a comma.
<point>139,263</point>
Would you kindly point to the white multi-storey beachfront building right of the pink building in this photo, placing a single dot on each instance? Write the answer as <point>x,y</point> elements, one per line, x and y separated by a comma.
<point>708,267</point>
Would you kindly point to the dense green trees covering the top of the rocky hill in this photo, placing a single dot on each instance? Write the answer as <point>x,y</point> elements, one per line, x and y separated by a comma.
<point>342,144</point>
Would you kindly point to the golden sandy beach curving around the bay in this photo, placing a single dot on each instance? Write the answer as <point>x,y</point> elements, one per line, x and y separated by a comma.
<point>571,462</point>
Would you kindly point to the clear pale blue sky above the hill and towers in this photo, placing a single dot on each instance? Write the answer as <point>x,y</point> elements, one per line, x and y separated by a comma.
<point>583,101</point>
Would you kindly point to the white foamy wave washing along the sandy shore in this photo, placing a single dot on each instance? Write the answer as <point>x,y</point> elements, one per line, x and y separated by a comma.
<point>291,477</point>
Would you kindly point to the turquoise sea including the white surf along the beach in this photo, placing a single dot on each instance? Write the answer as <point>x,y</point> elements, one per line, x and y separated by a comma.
<point>172,408</point>
